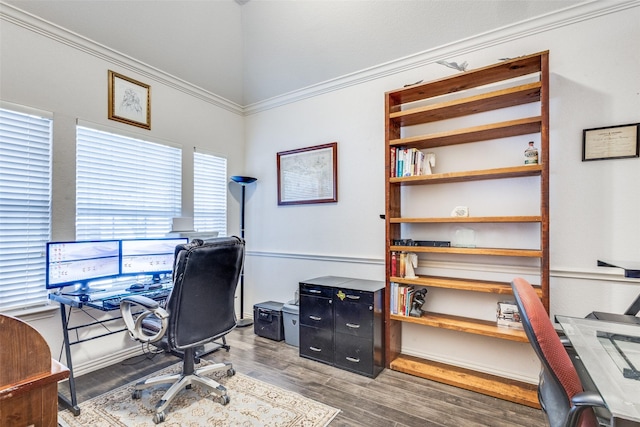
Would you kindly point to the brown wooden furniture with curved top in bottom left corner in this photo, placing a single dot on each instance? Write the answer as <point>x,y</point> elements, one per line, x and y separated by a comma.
<point>28,377</point>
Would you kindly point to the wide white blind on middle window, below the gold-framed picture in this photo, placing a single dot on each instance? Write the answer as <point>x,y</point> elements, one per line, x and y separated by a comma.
<point>125,187</point>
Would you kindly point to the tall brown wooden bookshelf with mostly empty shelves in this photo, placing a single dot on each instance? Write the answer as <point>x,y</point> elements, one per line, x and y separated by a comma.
<point>412,117</point>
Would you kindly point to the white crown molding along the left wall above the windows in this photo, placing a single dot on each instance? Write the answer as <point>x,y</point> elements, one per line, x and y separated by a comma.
<point>120,61</point>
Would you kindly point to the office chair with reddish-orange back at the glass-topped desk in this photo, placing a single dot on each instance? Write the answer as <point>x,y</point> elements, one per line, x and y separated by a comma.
<point>560,391</point>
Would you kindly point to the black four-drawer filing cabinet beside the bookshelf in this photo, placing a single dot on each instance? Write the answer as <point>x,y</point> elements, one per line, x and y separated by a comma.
<point>341,323</point>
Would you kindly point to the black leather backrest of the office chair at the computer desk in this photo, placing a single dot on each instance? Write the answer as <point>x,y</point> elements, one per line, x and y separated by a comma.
<point>202,302</point>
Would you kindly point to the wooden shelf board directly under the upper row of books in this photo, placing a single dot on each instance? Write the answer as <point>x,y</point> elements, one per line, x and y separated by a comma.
<point>475,175</point>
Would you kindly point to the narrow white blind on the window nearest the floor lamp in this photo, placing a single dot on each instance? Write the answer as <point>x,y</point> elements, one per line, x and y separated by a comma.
<point>210,193</point>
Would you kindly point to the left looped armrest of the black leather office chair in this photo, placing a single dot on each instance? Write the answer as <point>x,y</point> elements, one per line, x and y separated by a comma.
<point>134,324</point>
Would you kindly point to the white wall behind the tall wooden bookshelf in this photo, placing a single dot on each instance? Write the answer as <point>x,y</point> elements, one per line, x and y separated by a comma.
<point>594,82</point>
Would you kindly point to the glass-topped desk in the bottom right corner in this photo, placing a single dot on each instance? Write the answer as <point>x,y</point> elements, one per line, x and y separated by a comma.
<point>621,395</point>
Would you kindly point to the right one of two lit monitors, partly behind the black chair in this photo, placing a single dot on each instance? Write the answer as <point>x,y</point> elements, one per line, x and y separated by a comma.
<point>149,256</point>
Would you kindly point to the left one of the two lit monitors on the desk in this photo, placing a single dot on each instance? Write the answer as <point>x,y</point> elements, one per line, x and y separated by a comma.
<point>79,262</point>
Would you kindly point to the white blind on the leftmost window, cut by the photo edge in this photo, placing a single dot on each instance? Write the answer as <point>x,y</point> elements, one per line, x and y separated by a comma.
<point>25,194</point>
